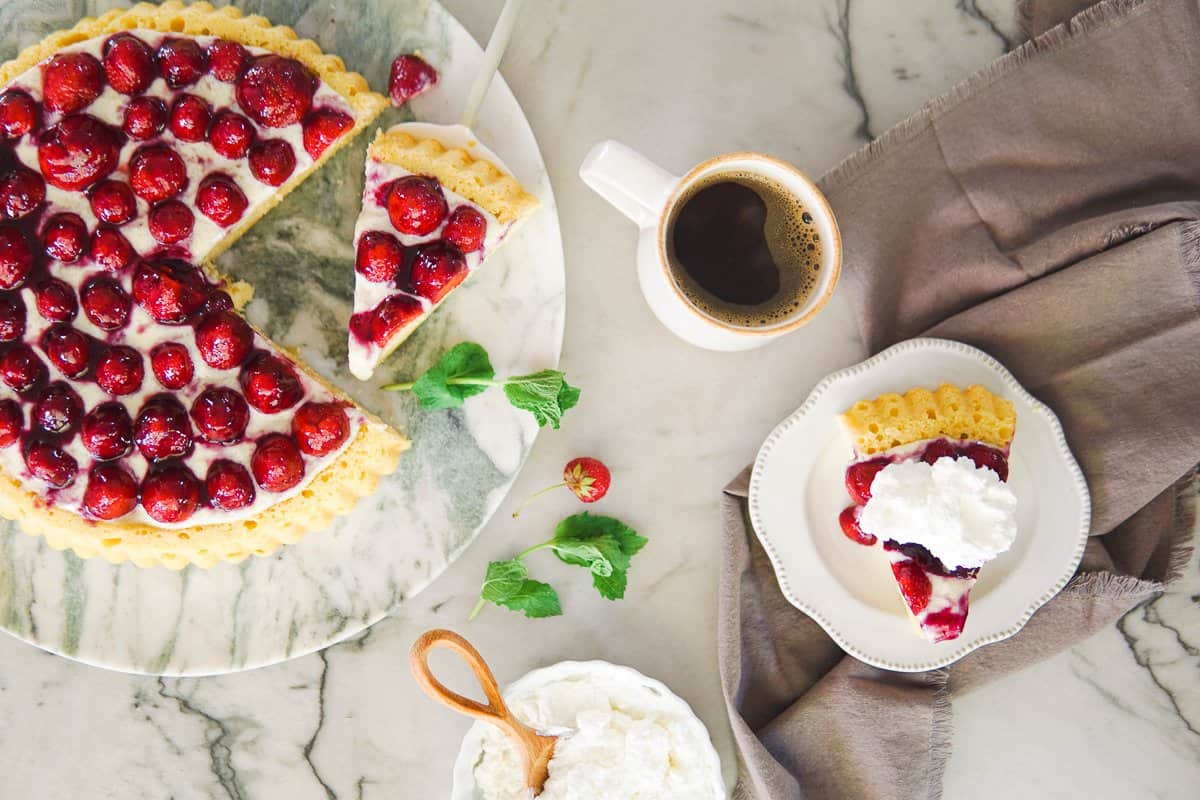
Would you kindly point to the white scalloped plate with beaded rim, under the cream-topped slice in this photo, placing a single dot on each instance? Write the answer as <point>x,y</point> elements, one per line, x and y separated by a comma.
<point>797,491</point>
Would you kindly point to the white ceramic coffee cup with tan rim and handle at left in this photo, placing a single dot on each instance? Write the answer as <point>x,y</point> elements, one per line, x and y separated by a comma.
<point>649,195</point>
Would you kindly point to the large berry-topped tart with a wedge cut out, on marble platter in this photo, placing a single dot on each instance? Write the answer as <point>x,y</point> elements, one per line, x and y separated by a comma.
<point>141,417</point>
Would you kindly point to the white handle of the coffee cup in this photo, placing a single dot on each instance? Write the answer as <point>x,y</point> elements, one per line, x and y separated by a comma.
<point>635,187</point>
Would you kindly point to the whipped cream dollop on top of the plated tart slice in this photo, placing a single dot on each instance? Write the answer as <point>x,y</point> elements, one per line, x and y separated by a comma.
<point>962,514</point>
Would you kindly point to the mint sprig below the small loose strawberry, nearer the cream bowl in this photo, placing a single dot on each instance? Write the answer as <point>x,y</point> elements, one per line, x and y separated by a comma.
<point>605,546</point>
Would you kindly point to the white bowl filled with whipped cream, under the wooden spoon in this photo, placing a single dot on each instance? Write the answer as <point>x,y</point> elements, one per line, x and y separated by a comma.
<point>622,737</point>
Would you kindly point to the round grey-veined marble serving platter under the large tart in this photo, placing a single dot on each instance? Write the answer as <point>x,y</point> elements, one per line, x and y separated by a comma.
<point>335,582</point>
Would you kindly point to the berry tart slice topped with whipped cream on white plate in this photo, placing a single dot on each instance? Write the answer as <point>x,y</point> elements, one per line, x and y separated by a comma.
<point>929,485</point>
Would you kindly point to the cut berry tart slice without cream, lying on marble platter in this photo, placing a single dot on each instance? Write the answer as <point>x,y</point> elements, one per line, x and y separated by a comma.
<point>435,206</point>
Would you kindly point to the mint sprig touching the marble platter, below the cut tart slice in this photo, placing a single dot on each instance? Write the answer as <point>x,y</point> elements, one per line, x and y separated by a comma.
<point>466,371</point>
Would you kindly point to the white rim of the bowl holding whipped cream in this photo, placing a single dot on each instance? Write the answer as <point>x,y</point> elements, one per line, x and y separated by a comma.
<point>586,671</point>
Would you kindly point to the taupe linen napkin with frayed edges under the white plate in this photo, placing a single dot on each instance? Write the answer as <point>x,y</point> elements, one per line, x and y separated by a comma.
<point>1047,212</point>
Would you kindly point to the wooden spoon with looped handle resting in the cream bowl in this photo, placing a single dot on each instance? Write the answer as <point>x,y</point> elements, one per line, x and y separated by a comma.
<point>536,750</point>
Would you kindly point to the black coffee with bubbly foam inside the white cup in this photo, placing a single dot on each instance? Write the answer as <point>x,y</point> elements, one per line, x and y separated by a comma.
<point>743,249</point>
